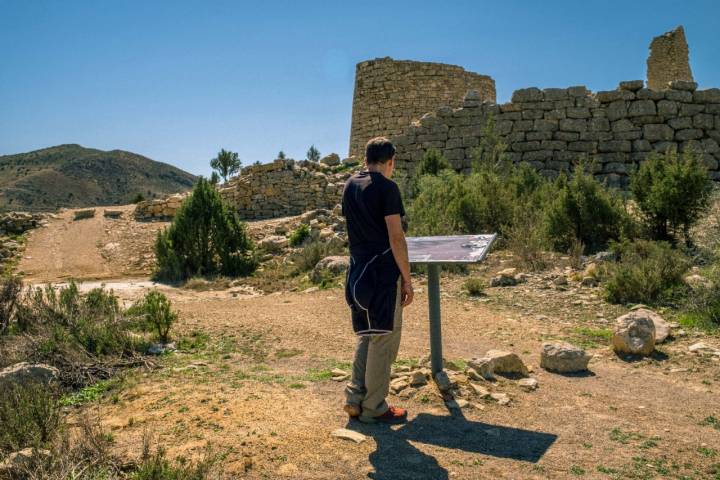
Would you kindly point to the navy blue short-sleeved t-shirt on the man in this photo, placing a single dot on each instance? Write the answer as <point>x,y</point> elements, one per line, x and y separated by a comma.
<point>368,198</point>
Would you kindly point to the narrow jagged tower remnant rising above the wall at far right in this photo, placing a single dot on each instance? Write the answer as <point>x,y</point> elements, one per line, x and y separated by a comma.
<point>668,60</point>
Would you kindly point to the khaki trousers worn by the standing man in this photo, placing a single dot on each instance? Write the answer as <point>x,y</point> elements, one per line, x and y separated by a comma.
<point>374,357</point>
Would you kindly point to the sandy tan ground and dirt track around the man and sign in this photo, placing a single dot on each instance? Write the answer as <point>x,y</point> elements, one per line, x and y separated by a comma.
<point>248,380</point>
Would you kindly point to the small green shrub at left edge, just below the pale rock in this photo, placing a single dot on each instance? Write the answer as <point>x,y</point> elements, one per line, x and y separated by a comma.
<point>30,416</point>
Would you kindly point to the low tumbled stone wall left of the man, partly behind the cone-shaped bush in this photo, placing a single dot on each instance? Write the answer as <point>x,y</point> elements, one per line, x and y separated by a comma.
<point>278,189</point>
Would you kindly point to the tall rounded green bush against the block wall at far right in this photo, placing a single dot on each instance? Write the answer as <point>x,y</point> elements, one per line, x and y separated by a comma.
<point>672,193</point>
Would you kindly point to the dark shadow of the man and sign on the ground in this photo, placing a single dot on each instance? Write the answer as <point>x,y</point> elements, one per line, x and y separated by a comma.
<point>396,458</point>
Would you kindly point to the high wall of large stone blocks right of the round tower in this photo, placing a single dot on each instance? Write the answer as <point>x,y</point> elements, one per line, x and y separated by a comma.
<point>551,129</point>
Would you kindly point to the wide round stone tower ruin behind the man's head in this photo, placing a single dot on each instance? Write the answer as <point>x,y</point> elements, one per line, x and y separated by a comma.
<point>389,94</point>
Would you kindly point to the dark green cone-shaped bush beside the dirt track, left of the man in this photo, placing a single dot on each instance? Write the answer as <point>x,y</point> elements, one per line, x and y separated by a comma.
<point>205,238</point>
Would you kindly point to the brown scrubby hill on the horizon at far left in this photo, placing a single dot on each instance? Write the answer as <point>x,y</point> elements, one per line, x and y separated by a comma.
<point>75,176</point>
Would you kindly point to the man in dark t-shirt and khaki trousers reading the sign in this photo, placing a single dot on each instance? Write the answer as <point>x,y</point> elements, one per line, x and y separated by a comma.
<point>378,284</point>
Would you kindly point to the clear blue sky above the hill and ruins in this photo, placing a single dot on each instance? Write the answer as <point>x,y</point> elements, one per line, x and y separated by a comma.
<point>178,80</point>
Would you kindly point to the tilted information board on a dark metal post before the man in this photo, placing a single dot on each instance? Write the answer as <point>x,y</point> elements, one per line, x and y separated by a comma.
<point>434,252</point>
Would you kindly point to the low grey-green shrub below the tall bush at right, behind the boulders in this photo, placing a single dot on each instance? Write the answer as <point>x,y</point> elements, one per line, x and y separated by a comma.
<point>646,272</point>
